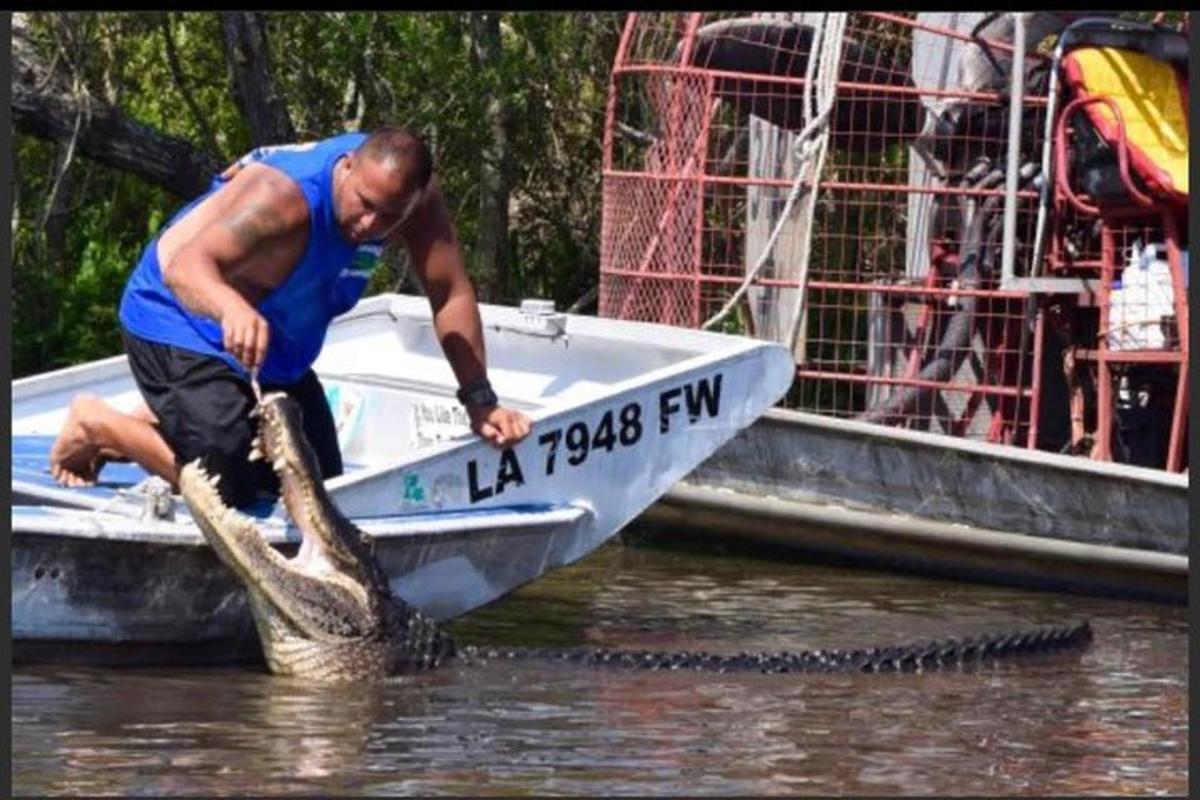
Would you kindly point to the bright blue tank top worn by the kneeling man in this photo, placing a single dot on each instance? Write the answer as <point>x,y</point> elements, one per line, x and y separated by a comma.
<point>328,281</point>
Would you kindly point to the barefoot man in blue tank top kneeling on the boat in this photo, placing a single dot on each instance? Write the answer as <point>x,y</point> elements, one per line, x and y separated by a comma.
<point>245,280</point>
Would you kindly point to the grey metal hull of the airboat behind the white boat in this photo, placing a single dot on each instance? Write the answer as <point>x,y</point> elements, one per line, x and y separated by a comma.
<point>920,502</point>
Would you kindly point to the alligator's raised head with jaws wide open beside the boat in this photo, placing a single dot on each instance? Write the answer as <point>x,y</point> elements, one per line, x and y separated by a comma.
<point>329,611</point>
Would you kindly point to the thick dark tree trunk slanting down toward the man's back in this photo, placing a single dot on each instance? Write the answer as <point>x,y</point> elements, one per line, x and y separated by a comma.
<point>44,107</point>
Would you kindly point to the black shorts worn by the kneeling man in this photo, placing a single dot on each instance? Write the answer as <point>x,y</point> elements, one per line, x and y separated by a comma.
<point>203,408</point>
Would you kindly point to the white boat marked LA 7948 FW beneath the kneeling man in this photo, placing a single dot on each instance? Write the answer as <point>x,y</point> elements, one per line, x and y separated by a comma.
<point>621,412</point>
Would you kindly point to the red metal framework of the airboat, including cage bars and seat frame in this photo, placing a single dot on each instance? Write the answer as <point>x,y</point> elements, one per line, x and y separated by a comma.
<point>683,213</point>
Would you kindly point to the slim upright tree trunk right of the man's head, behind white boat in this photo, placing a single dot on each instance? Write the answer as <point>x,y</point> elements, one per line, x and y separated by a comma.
<point>491,251</point>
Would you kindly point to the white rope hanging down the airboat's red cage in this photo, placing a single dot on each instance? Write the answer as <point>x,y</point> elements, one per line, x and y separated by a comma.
<point>811,147</point>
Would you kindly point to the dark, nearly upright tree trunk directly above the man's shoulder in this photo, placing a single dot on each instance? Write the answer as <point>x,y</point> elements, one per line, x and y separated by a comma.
<point>254,83</point>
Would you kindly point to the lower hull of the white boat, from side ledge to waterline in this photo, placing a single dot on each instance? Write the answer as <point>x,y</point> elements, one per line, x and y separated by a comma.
<point>158,587</point>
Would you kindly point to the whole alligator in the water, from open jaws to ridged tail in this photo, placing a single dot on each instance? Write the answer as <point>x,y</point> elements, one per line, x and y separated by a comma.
<point>329,613</point>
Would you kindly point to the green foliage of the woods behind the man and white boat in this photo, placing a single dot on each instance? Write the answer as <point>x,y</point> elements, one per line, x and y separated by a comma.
<point>410,69</point>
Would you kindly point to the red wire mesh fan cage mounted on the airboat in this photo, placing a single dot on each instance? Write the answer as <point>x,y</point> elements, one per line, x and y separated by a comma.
<point>872,190</point>
